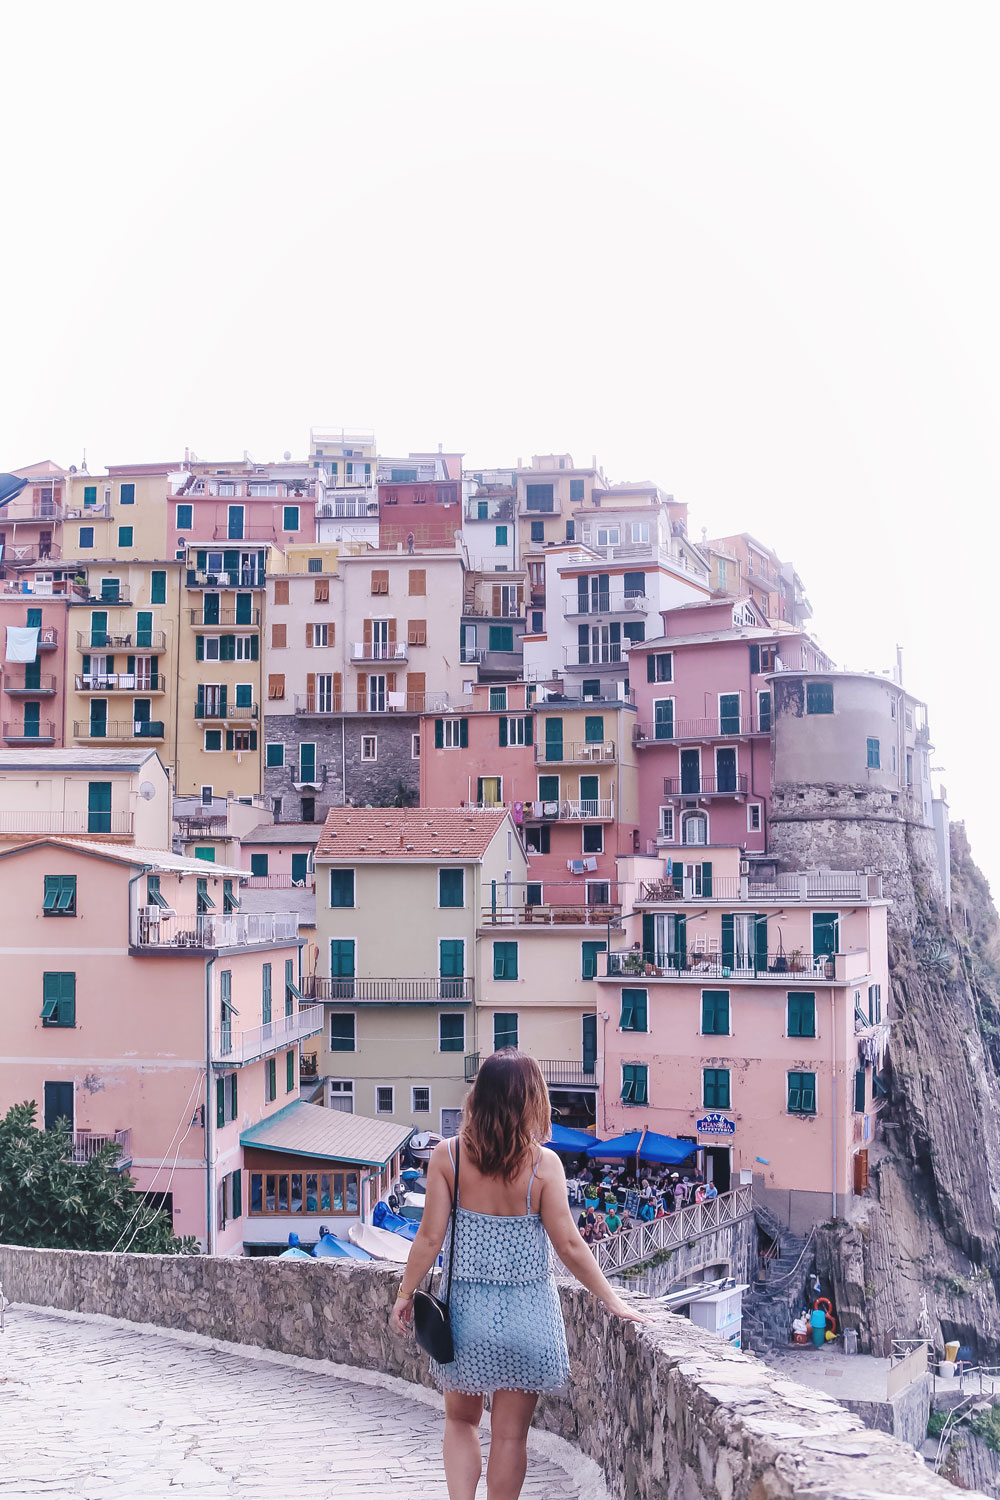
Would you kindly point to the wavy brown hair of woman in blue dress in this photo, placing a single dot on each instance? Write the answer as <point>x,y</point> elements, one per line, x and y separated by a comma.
<point>506,1112</point>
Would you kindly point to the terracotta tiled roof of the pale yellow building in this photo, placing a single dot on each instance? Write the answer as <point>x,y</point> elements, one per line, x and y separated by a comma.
<point>409,833</point>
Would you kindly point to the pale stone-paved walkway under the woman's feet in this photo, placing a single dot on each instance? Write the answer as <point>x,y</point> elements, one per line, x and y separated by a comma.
<point>107,1412</point>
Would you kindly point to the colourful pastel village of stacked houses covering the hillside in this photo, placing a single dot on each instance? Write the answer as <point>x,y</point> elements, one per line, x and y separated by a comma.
<point>323,779</point>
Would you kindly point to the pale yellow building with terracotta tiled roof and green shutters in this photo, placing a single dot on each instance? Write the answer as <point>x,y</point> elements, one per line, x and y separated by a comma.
<point>400,902</point>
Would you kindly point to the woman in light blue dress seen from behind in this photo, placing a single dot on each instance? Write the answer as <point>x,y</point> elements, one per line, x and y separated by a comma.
<point>506,1315</point>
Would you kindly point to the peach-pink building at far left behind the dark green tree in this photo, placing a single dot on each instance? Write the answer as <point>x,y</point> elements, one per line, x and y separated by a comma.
<point>151,1013</point>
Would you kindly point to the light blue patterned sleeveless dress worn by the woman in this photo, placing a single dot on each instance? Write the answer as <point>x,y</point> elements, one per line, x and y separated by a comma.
<point>506,1313</point>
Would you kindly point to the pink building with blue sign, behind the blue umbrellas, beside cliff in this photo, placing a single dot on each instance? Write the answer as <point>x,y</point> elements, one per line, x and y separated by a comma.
<point>747,1018</point>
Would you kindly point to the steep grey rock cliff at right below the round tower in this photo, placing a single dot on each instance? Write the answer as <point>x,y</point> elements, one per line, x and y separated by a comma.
<point>921,1255</point>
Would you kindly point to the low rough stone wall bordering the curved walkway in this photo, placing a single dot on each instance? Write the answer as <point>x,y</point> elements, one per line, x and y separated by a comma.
<point>662,1409</point>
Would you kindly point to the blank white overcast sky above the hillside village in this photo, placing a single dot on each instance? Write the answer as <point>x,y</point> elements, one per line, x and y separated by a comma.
<point>749,251</point>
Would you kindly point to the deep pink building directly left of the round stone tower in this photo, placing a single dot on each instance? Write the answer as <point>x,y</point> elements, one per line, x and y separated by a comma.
<point>704,724</point>
